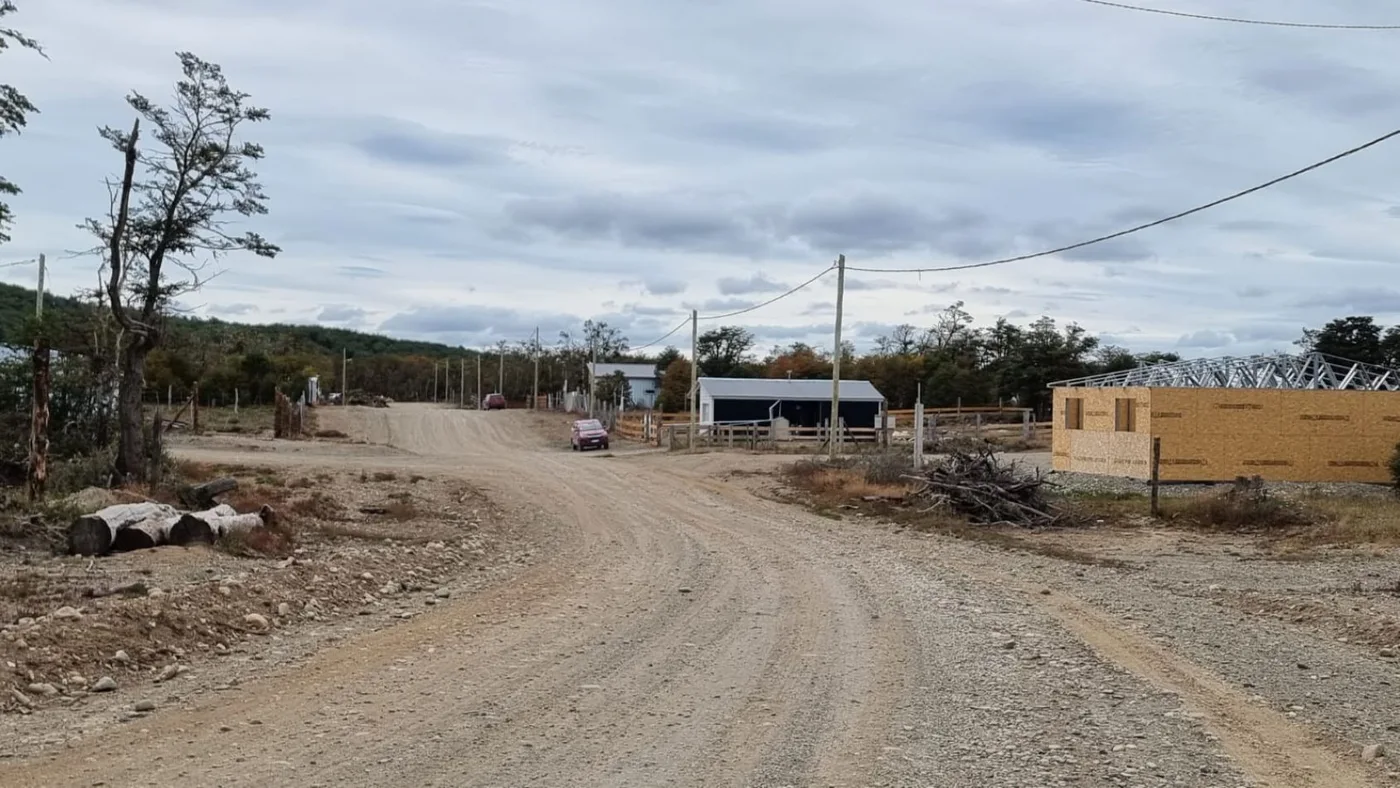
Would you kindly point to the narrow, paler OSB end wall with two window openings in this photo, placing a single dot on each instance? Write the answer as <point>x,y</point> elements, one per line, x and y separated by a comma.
<point>1100,447</point>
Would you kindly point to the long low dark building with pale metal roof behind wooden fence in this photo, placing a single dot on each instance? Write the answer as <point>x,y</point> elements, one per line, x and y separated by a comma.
<point>804,404</point>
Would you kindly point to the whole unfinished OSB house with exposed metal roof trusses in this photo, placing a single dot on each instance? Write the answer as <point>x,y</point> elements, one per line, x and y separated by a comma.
<point>1305,418</point>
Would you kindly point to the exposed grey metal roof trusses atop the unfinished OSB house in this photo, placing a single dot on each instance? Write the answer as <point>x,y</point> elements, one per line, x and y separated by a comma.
<point>1305,372</point>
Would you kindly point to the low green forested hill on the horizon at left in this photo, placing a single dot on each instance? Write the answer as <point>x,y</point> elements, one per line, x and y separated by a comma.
<point>17,307</point>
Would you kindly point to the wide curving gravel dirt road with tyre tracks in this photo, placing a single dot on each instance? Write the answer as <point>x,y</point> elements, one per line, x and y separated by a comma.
<point>684,632</point>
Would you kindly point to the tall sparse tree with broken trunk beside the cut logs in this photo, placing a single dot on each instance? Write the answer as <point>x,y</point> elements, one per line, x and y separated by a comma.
<point>171,216</point>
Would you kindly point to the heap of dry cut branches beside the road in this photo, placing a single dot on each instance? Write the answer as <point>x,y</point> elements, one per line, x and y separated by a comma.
<point>978,486</point>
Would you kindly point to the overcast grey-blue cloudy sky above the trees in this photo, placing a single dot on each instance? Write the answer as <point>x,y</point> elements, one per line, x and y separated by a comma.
<point>464,171</point>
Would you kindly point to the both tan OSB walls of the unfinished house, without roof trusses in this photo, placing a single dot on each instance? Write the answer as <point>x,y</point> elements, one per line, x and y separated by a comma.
<point>1219,435</point>
